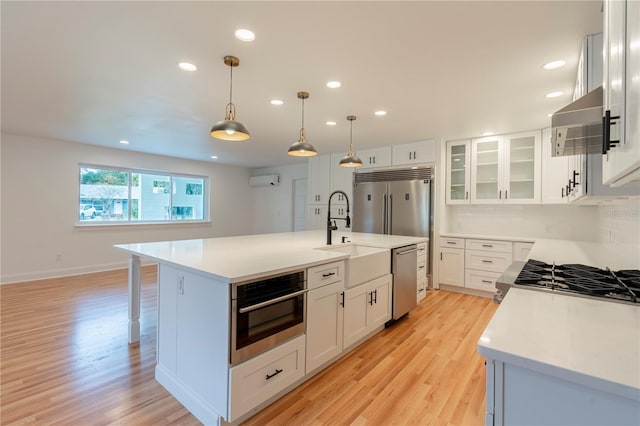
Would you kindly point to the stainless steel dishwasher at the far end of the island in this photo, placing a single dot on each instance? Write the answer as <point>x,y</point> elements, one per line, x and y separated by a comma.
<point>405,279</point>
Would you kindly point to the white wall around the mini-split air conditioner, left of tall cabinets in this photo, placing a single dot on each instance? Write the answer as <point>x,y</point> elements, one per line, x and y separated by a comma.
<point>274,204</point>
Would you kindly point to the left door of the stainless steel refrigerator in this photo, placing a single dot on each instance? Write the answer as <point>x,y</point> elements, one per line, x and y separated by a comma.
<point>369,205</point>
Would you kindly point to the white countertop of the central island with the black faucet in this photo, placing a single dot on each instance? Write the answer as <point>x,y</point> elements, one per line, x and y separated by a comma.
<point>242,258</point>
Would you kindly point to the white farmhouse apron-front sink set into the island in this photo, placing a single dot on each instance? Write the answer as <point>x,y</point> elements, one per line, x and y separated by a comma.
<point>364,263</point>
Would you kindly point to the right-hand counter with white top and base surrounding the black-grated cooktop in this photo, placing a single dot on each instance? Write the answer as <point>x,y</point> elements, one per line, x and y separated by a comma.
<point>554,358</point>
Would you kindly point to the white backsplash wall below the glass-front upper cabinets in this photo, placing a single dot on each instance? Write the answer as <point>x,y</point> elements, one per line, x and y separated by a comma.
<point>536,221</point>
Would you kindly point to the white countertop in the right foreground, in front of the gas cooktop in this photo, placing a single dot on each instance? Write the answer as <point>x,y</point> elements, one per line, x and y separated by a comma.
<point>590,342</point>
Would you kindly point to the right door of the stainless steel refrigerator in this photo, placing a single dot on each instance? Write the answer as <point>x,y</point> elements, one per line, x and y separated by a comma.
<point>409,208</point>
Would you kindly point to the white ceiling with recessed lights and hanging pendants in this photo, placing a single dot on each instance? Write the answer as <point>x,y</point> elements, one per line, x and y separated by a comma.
<point>99,72</point>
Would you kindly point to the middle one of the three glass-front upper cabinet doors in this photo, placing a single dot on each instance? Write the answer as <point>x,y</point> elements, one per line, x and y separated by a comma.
<point>487,170</point>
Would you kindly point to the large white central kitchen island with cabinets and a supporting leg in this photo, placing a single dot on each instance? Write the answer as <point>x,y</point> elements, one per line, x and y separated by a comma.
<point>197,282</point>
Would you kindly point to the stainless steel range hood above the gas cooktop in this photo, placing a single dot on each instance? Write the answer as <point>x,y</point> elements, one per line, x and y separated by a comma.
<point>577,128</point>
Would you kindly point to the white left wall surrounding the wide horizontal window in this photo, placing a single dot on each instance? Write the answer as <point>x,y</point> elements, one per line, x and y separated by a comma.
<point>39,199</point>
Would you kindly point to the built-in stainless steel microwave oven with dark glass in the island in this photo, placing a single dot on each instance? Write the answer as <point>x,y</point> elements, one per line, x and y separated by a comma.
<point>265,313</point>
